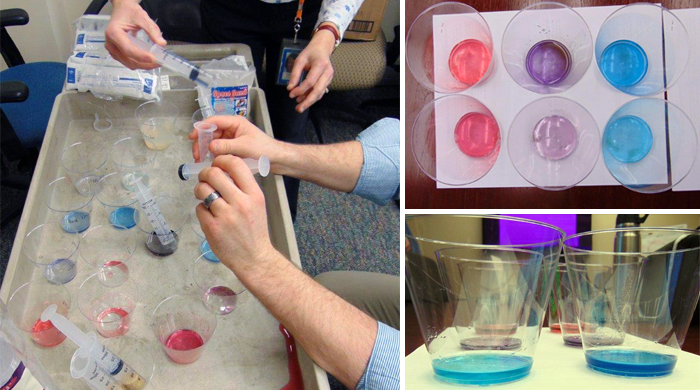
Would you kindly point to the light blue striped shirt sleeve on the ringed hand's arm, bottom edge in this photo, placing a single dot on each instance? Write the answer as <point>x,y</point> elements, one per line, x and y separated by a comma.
<point>383,370</point>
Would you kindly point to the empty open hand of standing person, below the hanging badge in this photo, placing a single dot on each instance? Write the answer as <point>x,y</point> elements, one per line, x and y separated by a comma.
<point>316,58</point>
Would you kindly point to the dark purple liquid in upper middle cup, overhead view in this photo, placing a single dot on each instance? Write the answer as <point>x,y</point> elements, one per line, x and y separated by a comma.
<point>548,62</point>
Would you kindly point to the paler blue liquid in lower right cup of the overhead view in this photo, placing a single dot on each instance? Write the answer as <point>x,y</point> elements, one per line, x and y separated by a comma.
<point>628,139</point>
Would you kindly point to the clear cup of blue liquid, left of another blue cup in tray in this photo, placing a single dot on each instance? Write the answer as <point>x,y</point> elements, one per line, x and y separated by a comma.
<point>68,206</point>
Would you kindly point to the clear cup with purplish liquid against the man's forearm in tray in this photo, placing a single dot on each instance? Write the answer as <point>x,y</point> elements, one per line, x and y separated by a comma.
<point>219,286</point>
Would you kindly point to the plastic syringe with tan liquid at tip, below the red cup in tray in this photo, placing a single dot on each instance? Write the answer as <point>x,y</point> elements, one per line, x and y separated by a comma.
<point>106,359</point>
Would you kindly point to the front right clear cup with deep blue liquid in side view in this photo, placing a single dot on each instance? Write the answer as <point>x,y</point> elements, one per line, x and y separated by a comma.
<point>636,290</point>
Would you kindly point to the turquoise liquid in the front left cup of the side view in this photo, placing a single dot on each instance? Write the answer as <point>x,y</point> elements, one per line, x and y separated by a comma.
<point>482,369</point>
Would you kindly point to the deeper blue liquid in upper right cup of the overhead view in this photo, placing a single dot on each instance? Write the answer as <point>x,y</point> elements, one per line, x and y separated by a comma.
<point>623,63</point>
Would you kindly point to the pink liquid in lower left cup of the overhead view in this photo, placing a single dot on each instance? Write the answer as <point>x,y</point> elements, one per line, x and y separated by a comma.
<point>477,135</point>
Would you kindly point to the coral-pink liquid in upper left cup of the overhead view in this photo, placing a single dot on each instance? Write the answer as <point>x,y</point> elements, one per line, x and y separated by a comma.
<point>469,61</point>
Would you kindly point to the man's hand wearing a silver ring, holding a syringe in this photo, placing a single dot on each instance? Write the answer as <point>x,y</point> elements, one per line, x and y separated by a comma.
<point>235,225</point>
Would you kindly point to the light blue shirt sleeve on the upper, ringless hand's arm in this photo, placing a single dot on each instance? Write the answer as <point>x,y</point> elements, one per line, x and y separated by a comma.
<point>380,175</point>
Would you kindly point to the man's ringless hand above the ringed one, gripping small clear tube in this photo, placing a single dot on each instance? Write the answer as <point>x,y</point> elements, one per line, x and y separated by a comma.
<point>236,135</point>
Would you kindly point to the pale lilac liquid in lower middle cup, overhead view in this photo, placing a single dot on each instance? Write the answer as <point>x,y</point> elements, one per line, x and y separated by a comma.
<point>554,137</point>
